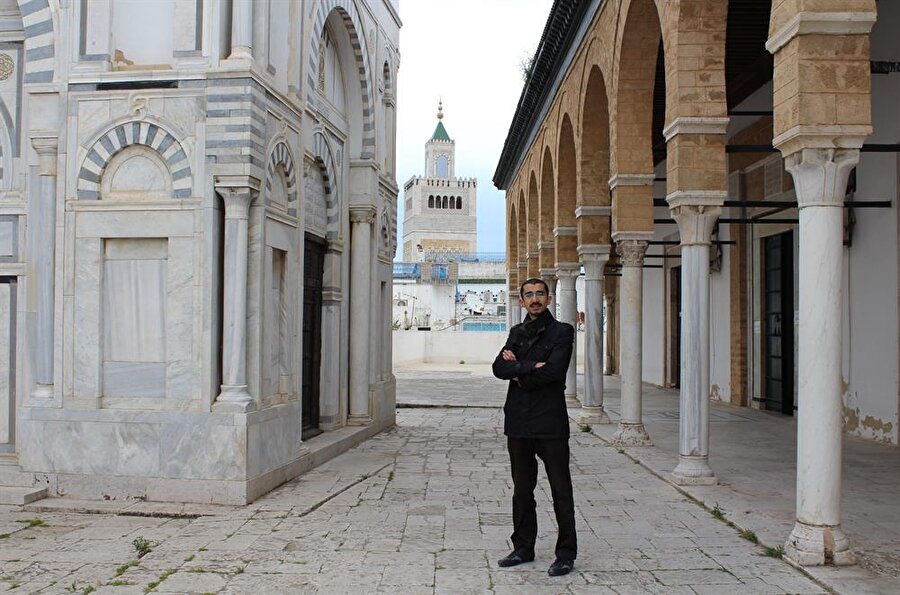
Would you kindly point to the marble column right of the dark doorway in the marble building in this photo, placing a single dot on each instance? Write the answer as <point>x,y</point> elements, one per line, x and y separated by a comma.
<point>361,219</point>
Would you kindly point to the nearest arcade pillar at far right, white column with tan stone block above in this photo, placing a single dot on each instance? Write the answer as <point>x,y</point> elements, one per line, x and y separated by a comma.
<point>821,59</point>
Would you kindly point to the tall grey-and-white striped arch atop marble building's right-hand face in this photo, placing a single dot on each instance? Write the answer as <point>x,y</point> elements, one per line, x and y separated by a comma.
<point>351,19</point>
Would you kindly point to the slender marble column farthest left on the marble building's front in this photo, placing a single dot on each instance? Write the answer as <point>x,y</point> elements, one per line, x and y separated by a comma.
<point>44,265</point>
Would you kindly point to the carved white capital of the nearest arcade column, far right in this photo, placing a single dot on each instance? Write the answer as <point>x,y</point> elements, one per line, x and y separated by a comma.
<point>820,175</point>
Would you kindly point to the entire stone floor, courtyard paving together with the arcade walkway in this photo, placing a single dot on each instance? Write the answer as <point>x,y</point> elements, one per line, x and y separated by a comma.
<point>425,508</point>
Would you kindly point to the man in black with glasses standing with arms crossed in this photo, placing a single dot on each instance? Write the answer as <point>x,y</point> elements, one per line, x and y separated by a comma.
<point>534,360</point>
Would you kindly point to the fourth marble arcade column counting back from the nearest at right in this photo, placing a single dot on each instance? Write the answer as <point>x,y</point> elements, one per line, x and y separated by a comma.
<point>594,260</point>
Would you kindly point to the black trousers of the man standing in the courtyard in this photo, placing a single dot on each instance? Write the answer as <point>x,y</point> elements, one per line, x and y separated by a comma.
<point>555,454</point>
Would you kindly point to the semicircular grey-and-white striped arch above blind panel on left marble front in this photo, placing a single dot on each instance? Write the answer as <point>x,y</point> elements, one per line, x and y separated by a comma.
<point>125,135</point>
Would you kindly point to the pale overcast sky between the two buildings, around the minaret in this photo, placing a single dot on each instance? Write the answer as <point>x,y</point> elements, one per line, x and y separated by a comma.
<point>467,53</point>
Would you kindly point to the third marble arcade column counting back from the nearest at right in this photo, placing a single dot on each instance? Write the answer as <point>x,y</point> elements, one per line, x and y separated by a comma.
<point>631,430</point>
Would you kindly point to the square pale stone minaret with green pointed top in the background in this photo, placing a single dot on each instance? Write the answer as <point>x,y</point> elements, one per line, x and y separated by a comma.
<point>439,221</point>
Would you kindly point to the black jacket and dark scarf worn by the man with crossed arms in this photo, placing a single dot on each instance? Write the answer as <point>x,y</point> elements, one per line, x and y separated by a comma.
<point>535,400</point>
